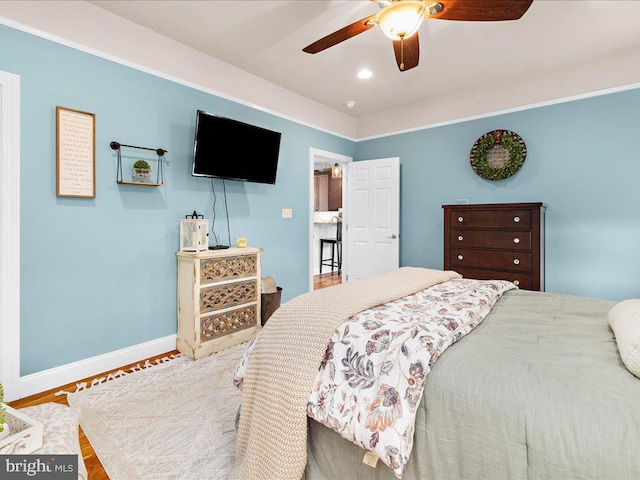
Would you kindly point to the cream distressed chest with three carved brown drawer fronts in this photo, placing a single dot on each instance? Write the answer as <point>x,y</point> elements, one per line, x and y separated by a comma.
<point>218,299</point>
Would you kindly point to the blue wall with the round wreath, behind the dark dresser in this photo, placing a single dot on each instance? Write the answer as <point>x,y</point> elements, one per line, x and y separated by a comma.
<point>583,161</point>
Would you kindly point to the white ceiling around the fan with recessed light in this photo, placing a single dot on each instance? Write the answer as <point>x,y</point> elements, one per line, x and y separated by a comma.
<point>266,39</point>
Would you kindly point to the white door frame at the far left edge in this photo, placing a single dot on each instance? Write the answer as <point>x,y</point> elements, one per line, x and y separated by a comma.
<point>10,234</point>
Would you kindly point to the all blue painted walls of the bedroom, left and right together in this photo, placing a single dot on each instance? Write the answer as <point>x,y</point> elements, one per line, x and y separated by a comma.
<point>99,274</point>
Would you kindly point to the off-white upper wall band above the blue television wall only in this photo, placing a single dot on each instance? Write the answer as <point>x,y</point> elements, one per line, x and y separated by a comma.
<point>93,30</point>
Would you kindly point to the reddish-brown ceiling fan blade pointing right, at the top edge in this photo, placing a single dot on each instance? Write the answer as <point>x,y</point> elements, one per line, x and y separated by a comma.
<point>482,11</point>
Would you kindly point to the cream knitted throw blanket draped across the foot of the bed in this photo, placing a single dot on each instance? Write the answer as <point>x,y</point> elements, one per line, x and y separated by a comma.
<point>272,433</point>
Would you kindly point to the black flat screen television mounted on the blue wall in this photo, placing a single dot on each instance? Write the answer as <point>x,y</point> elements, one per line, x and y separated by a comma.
<point>227,148</point>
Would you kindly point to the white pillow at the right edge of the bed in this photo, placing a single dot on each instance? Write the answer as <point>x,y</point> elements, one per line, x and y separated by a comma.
<point>624,318</point>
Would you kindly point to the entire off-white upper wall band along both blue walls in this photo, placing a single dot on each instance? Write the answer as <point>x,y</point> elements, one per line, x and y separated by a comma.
<point>84,25</point>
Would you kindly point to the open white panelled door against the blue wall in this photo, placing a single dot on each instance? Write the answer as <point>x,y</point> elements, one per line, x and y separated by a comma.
<point>373,217</point>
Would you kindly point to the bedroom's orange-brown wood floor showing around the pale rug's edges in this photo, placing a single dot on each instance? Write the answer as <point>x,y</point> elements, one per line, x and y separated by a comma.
<point>94,467</point>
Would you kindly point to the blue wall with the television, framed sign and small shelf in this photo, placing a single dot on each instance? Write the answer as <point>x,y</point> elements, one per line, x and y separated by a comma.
<point>99,274</point>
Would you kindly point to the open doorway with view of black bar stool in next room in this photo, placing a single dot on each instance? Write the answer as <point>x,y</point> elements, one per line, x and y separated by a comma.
<point>327,218</point>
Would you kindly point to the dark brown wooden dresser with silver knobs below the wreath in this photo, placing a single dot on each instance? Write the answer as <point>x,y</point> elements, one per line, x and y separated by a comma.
<point>501,241</point>
